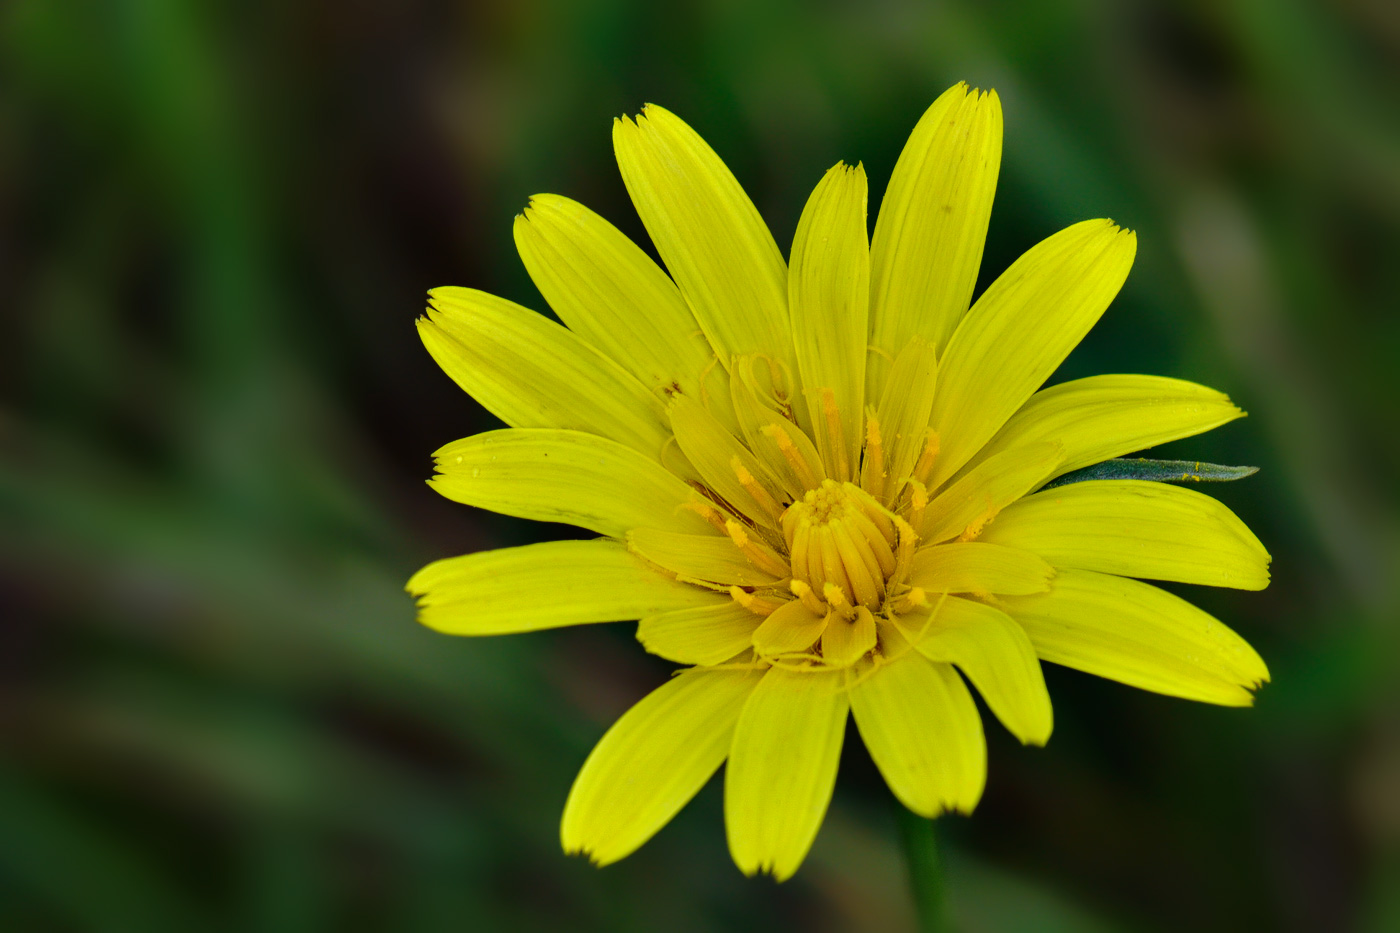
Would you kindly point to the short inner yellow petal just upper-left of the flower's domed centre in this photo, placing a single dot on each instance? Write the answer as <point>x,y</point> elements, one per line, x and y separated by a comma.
<point>716,453</point>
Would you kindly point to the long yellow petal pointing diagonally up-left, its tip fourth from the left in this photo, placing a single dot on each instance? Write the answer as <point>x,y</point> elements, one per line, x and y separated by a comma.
<point>612,295</point>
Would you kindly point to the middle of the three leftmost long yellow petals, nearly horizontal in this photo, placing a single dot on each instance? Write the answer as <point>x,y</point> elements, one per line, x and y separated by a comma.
<point>572,477</point>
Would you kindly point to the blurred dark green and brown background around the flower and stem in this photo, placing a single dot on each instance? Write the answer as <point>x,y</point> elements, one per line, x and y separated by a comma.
<point>219,222</point>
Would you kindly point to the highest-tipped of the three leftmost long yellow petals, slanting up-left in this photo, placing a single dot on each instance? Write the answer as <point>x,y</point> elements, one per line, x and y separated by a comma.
<point>533,373</point>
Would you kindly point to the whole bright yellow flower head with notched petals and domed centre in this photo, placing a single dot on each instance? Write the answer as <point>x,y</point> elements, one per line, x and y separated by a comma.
<point>817,481</point>
